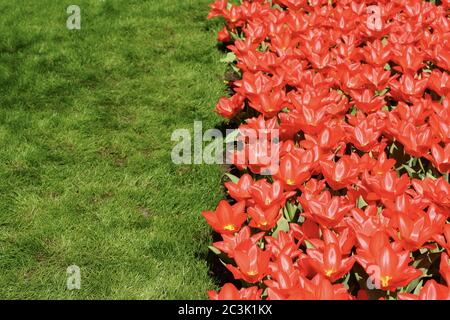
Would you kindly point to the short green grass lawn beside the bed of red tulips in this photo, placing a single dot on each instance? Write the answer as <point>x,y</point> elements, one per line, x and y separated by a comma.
<point>86,178</point>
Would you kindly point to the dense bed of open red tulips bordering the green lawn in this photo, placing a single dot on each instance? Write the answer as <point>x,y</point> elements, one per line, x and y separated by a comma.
<point>360,205</point>
